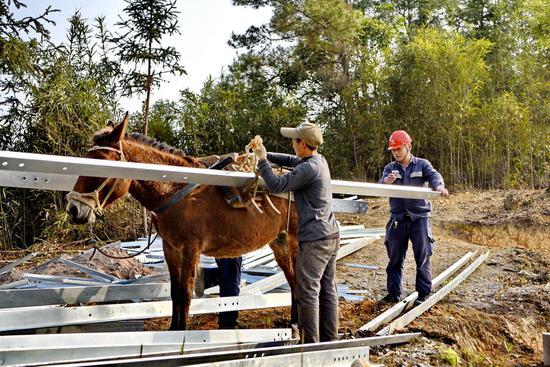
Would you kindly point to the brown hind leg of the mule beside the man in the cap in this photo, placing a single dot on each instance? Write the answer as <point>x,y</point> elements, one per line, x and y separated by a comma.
<point>285,248</point>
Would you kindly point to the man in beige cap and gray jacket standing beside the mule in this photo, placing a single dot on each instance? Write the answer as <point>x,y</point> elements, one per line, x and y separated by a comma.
<point>318,233</point>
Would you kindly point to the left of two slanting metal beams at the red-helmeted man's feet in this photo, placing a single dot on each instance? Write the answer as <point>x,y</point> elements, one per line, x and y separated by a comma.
<point>394,311</point>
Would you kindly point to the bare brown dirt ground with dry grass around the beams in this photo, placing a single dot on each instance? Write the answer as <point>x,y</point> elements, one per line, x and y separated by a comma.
<point>495,318</point>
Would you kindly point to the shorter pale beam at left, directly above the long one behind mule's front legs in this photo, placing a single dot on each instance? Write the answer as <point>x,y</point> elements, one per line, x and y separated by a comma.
<point>89,294</point>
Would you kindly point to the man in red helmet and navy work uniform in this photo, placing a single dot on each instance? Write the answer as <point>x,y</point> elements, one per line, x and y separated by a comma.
<point>409,218</point>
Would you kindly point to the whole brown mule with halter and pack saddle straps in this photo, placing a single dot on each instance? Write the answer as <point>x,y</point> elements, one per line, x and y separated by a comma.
<point>200,223</point>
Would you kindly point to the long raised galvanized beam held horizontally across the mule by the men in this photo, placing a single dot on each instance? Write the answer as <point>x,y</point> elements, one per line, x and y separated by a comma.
<point>39,168</point>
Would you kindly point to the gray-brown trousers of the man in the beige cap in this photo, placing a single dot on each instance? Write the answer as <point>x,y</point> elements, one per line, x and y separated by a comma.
<point>316,294</point>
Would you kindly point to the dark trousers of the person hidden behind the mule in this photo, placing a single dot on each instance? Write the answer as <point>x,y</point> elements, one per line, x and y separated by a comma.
<point>230,280</point>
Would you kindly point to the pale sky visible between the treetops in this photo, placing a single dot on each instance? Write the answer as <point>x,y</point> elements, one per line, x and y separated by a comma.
<point>205,27</point>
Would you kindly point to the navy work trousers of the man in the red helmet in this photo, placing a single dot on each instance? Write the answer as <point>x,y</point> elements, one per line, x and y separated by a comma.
<point>398,234</point>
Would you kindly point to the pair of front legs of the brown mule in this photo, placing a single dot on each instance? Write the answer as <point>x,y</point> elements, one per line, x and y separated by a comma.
<point>181,264</point>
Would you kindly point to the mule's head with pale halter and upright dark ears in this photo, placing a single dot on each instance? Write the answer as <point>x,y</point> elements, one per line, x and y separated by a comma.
<point>92,194</point>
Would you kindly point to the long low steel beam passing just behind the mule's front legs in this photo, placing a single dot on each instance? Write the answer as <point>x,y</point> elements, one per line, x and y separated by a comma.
<point>45,316</point>
